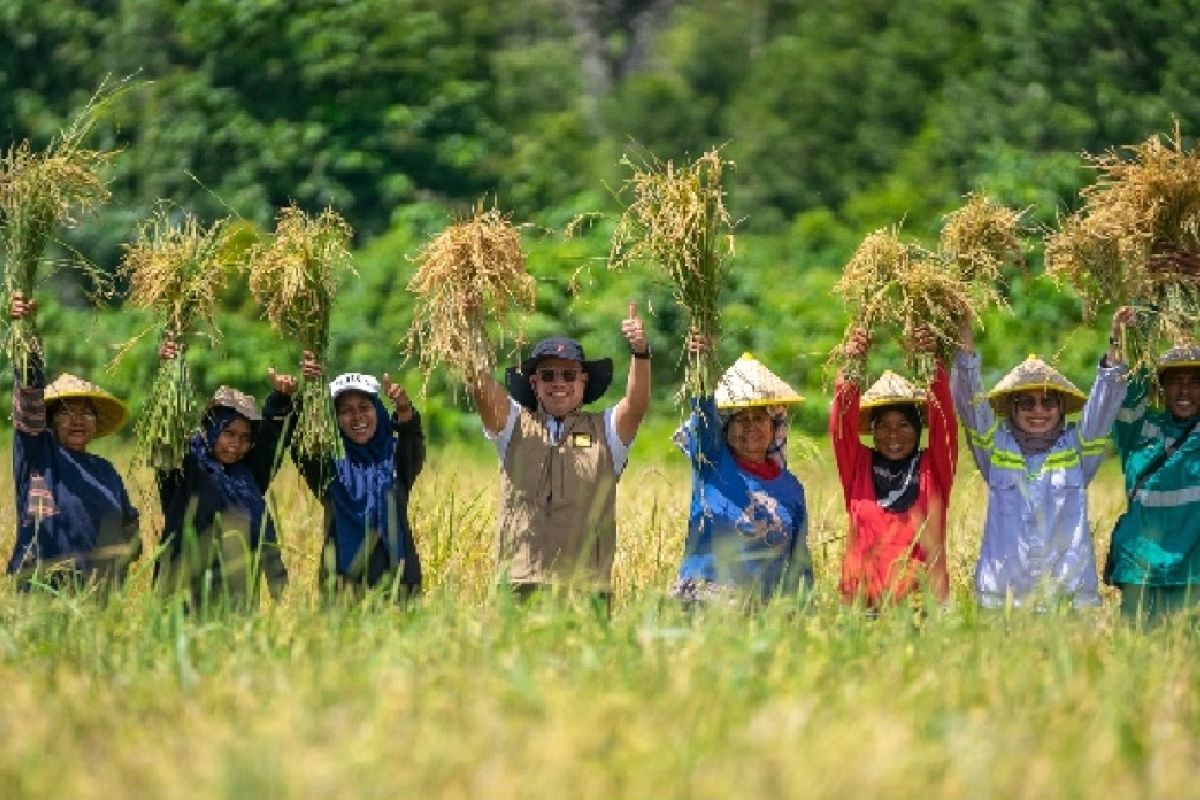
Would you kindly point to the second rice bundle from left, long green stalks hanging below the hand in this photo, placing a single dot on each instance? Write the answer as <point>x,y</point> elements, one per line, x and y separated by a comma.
<point>176,269</point>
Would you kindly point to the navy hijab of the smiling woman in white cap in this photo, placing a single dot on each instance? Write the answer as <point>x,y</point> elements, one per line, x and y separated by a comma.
<point>362,491</point>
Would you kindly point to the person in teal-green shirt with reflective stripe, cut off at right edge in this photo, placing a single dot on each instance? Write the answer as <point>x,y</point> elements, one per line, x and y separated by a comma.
<point>1155,556</point>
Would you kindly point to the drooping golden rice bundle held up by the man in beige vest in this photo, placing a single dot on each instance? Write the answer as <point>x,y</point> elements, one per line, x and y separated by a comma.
<point>472,273</point>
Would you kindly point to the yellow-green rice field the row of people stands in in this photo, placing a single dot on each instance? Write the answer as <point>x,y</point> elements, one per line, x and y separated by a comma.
<point>466,696</point>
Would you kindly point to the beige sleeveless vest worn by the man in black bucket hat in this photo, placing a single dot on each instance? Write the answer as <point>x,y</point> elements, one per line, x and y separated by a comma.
<point>557,513</point>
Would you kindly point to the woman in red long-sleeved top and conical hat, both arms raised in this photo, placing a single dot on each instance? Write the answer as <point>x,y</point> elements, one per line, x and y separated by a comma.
<point>897,495</point>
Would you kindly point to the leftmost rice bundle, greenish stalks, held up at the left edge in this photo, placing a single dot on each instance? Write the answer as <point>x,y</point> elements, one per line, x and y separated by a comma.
<point>41,193</point>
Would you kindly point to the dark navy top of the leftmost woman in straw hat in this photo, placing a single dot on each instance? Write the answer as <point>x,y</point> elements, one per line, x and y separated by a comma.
<point>70,506</point>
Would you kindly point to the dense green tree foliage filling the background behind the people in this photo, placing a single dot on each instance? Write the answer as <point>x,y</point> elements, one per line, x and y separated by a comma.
<point>841,117</point>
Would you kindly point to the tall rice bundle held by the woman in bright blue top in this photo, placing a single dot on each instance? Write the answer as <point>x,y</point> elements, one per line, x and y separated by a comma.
<point>679,220</point>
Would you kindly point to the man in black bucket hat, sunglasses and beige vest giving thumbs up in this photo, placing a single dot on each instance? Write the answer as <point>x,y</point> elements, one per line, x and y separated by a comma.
<point>561,464</point>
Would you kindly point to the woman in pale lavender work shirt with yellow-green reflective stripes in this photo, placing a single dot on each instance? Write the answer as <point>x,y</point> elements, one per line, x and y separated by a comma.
<point>1037,548</point>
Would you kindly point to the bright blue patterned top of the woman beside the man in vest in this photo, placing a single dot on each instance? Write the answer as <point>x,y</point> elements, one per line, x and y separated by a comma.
<point>743,531</point>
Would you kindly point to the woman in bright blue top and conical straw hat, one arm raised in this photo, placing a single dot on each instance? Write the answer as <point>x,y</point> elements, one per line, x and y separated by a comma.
<point>747,530</point>
